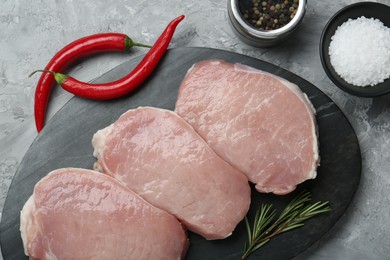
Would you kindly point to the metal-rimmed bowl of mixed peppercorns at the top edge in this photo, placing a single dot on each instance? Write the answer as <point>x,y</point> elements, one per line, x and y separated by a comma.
<point>264,23</point>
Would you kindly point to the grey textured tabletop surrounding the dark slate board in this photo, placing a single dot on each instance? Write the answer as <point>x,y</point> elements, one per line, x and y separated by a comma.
<point>32,31</point>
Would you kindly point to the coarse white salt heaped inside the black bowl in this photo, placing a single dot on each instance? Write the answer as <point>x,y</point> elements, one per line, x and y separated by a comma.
<point>360,51</point>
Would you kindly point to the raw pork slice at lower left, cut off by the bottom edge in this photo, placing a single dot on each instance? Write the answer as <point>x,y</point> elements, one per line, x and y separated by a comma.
<point>82,214</point>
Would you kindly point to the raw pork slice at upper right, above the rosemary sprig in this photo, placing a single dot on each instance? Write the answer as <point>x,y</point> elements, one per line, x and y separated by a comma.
<point>260,123</point>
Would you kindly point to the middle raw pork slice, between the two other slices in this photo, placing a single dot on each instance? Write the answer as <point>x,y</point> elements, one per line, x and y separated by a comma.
<point>159,156</point>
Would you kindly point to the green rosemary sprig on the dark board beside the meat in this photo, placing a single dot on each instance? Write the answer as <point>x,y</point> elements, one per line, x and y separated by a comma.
<point>293,216</point>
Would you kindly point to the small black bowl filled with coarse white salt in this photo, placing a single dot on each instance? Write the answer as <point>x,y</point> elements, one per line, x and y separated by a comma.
<point>355,49</point>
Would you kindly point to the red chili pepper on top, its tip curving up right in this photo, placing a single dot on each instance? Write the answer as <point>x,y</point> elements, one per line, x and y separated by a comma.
<point>126,84</point>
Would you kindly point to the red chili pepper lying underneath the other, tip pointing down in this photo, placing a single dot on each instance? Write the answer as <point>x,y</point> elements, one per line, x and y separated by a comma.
<point>62,59</point>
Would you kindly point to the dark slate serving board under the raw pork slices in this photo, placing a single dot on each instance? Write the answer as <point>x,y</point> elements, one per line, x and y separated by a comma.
<point>66,142</point>
